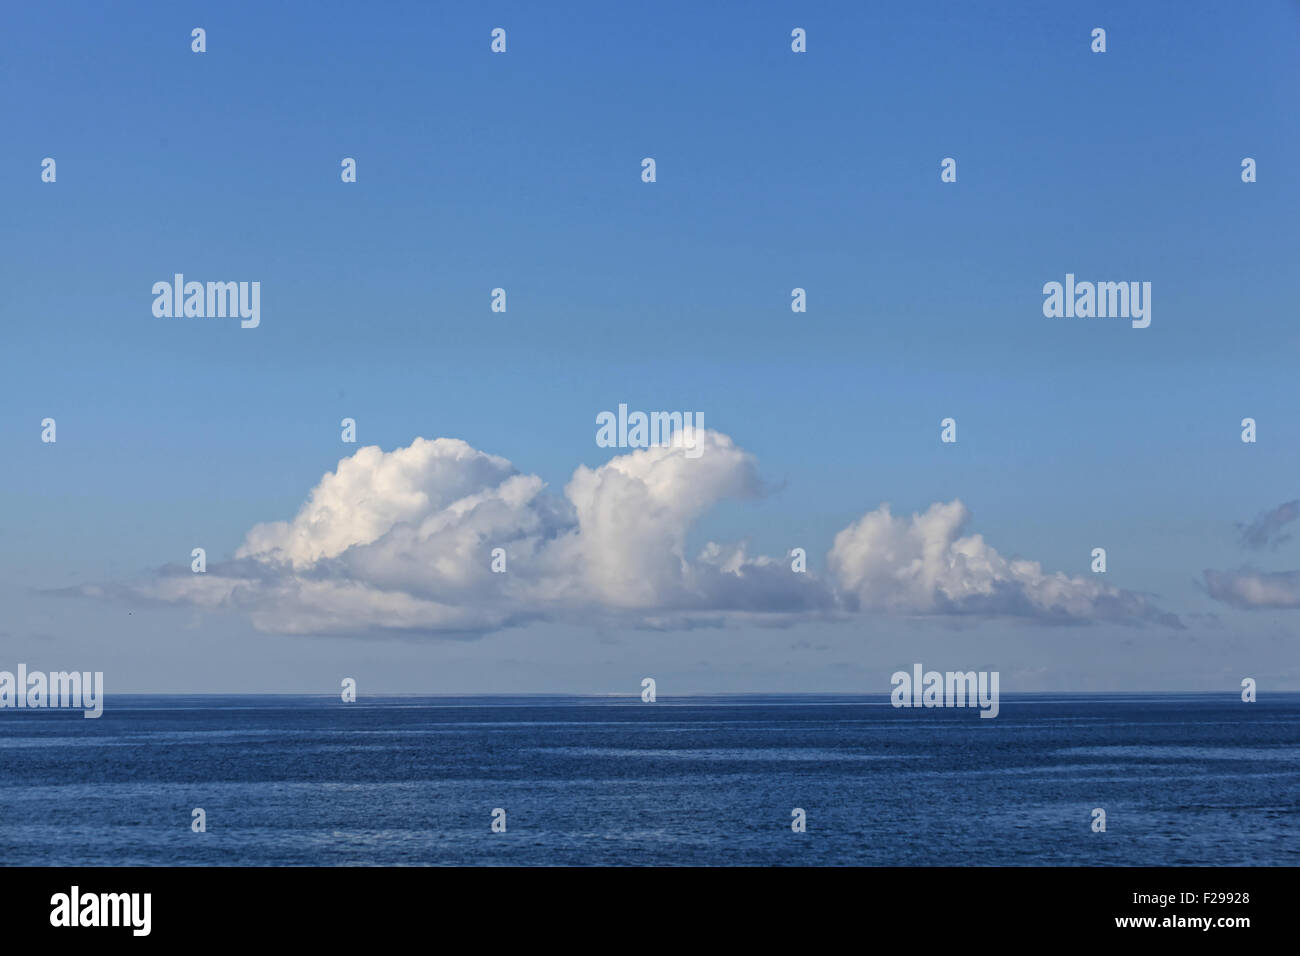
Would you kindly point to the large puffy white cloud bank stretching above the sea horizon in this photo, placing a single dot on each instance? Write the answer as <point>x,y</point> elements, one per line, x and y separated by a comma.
<point>402,542</point>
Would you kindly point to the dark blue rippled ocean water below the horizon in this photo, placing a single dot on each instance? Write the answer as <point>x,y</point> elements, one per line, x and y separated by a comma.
<point>413,781</point>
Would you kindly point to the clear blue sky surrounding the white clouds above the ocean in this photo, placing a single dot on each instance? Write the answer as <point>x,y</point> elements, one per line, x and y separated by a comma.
<point>775,171</point>
